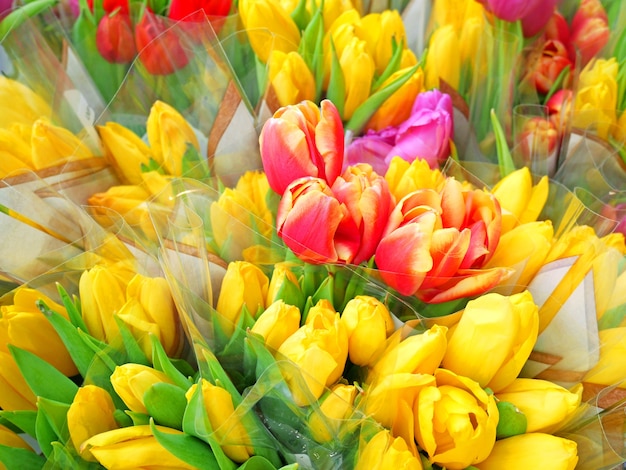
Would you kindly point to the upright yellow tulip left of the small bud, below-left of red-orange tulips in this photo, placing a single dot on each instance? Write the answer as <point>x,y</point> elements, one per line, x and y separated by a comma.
<point>243,284</point>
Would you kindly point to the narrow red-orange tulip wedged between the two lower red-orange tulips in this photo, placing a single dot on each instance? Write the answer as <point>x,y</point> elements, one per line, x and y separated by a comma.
<point>369,201</point>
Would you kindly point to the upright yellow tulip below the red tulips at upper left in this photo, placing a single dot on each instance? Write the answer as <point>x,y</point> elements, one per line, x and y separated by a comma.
<point>169,134</point>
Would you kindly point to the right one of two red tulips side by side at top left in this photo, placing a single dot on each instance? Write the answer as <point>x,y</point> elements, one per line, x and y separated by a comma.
<point>160,48</point>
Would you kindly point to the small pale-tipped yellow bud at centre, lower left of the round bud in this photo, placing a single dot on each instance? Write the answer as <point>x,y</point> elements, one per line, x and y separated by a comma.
<point>277,323</point>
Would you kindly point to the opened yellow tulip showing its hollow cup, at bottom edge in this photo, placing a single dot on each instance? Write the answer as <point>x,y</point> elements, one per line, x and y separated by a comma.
<point>455,421</point>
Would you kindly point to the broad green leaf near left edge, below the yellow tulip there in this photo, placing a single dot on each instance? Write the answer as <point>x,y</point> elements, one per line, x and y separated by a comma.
<point>43,379</point>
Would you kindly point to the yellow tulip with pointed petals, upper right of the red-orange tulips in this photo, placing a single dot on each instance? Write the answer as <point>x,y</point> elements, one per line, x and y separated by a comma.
<point>520,201</point>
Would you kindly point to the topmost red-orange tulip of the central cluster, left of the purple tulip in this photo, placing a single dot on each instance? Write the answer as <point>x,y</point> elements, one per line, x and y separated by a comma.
<point>302,140</point>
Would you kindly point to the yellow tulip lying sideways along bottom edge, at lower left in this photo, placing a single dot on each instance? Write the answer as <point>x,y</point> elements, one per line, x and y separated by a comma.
<point>133,447</point>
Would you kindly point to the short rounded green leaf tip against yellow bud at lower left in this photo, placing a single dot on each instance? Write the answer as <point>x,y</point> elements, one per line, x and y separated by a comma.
<point>166,403</point>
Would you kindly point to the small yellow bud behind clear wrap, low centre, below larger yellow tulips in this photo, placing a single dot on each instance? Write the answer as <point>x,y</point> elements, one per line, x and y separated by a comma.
<point>326,423</point>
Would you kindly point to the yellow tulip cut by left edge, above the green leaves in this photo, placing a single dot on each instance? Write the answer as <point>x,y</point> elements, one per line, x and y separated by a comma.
<point>24,326</point>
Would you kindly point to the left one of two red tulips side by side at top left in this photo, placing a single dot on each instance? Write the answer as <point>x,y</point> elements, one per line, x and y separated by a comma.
<point>114,38</point>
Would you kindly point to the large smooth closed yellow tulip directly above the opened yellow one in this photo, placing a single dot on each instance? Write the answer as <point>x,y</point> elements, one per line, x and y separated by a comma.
<point>493,339</point>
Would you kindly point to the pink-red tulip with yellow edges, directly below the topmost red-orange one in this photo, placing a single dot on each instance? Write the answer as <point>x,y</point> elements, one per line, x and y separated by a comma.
<point>315,225</point>
